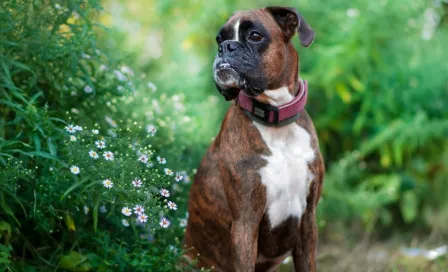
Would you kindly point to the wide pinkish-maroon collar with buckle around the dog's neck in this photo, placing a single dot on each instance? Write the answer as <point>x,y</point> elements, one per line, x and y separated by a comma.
<point>274,116</point>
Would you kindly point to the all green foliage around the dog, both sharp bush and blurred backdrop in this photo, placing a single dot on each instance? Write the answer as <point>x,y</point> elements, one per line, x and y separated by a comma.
<point>378,99</point>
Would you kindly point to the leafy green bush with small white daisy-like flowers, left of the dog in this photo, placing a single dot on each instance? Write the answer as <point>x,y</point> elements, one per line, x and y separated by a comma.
<point>86,183</point>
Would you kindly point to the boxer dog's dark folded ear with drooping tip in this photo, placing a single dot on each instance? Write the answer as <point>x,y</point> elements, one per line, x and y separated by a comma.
<point>291,21</point>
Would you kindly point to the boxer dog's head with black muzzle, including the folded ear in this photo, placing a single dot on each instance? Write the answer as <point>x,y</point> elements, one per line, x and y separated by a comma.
<point>255,52</point>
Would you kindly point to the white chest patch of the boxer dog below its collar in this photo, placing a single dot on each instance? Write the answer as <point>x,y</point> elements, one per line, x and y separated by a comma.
<point>286,176</point>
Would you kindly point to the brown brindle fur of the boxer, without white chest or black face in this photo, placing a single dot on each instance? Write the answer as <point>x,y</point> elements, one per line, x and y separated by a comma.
<point>228,228</point>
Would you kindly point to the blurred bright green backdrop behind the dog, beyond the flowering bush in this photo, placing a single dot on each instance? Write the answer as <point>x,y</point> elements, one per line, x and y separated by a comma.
<point>378,76</point>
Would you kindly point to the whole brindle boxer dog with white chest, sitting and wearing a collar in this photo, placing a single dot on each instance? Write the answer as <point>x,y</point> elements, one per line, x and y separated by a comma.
<point>253,201</point>
